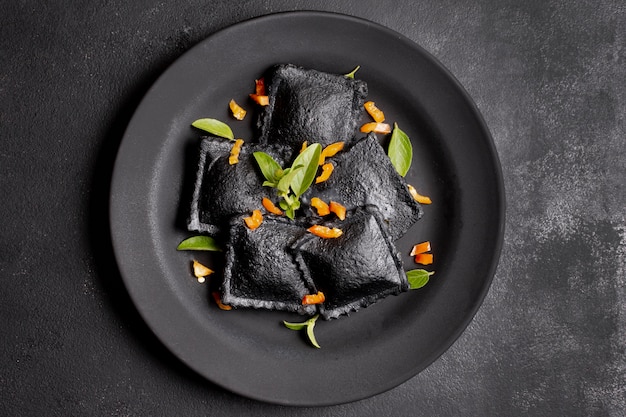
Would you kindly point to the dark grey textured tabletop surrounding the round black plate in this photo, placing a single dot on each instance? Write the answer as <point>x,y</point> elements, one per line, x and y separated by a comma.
<point>549,78</point>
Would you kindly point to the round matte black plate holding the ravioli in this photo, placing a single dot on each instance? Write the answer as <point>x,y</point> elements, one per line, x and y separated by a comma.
<point>250,352</point>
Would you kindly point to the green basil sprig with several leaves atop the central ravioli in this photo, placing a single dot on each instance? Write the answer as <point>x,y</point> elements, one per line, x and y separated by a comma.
<point>291,182</point>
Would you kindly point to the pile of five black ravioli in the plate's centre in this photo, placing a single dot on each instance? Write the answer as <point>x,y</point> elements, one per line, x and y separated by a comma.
<point>277,264</point>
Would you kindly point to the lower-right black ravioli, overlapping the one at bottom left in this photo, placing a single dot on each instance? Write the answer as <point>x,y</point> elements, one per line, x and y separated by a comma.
<point>356,269</point>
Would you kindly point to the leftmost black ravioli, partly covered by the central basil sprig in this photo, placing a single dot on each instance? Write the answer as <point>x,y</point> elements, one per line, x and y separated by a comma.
<point>223,190</point>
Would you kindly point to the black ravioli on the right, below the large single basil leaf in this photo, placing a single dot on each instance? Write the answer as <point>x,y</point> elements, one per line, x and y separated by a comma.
<point>364,175</point>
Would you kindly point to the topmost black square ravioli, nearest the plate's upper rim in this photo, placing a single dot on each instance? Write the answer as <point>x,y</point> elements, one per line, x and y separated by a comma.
<point>309,105</point>
